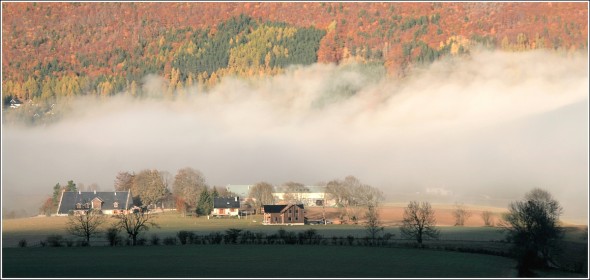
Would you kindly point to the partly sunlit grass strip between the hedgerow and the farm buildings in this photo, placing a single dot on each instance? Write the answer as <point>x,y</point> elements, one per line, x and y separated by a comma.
<point>36,229</point>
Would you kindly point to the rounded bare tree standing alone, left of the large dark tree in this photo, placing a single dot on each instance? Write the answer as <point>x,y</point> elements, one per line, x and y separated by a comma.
<point>419,222</point>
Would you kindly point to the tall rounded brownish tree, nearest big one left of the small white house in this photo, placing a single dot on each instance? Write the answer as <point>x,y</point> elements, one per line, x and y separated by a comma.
<point>188,184</point>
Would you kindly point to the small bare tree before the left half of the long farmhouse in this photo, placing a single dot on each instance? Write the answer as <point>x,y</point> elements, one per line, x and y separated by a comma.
<point>85,226</point>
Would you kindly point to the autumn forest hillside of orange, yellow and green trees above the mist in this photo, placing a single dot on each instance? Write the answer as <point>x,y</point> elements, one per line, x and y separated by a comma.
<point>54,51</point>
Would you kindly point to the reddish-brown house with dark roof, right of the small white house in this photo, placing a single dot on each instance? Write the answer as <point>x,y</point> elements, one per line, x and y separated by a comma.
<point>290,214</point>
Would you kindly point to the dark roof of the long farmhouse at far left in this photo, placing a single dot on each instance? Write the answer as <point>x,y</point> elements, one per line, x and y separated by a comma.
<point>69,200</point>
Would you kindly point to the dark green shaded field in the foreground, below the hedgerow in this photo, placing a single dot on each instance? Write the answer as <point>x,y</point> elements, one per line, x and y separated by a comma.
<point>252,261</point>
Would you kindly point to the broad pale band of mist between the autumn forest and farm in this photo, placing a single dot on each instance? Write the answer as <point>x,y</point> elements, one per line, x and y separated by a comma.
<point>479,130</point>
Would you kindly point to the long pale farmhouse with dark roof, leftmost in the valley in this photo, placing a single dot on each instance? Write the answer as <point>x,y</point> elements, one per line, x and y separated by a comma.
<point>107,202</point>
